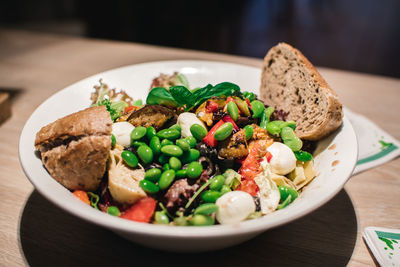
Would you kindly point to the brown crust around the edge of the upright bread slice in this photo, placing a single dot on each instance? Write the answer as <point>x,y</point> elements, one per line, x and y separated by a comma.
<point>332,115</point>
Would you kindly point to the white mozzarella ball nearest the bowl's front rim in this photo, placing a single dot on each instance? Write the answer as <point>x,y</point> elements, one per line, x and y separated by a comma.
<point>234,207</point>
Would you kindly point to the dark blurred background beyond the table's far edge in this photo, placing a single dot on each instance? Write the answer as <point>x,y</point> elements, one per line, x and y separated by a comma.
<point>355,35</point>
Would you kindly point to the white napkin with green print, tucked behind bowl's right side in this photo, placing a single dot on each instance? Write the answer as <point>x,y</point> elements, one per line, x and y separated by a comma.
<point>375,146</point>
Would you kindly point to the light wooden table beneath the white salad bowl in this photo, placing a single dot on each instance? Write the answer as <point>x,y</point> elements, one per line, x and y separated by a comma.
<point>33,232</point>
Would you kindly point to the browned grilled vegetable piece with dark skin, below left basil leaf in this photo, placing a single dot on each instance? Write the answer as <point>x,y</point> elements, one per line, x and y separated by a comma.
<point>153,115</point>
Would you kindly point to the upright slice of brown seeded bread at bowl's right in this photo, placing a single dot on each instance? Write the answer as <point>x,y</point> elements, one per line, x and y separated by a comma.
<point>291,83</point>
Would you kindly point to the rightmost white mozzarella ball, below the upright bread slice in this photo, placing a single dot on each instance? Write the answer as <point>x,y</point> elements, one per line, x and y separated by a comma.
<point>283,159</point>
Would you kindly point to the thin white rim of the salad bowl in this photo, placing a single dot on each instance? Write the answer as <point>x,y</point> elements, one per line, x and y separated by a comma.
<point>87,213</point>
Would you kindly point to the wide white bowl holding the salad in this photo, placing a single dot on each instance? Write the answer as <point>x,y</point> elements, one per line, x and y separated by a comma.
<point>334,165</point>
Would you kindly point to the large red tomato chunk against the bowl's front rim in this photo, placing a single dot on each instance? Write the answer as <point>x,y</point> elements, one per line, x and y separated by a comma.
<point>141,211</point>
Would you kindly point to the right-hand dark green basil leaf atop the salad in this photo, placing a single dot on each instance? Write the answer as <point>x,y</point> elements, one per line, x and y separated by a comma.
<point>225,88</point>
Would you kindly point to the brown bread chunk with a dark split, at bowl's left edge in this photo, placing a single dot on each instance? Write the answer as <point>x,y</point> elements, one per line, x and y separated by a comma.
<point>74,149</point>
